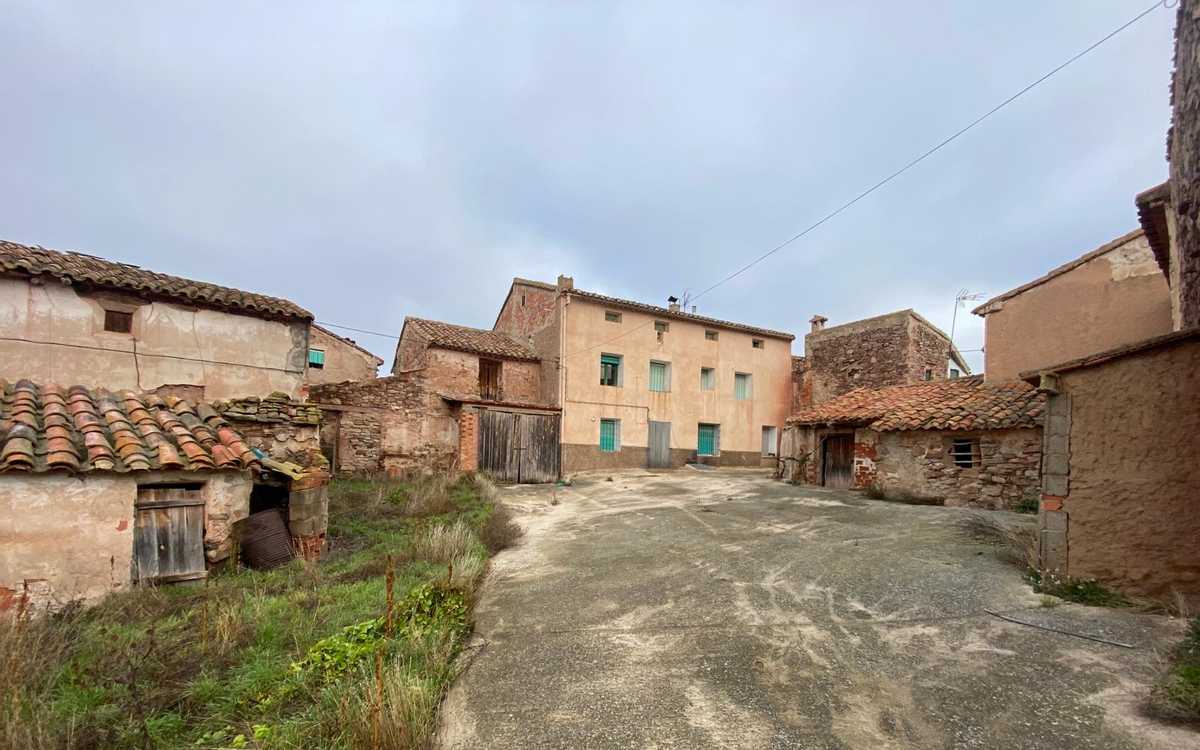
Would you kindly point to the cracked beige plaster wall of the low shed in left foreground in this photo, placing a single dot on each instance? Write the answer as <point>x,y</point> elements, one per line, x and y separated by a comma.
<point>70,538</point>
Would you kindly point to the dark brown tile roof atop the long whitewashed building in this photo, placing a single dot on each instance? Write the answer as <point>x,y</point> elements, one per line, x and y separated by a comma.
<point>82,269</point>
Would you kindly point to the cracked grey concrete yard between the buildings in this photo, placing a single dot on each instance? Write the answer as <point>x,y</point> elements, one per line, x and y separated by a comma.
<point>727,610</point>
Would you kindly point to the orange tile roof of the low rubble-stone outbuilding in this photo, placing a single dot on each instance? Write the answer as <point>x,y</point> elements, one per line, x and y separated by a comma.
<point>957,404</point>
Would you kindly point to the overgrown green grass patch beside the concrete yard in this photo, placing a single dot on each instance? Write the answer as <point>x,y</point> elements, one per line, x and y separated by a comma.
<point>268,659</point>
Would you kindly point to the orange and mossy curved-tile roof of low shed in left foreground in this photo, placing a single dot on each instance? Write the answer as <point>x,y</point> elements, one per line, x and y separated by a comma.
<point>80,430</point>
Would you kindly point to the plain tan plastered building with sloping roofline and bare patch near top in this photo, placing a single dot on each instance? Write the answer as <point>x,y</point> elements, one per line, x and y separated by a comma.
<point>1109,297</point>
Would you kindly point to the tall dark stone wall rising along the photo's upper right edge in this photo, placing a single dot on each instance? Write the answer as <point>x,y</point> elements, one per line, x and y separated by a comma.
<point>1185,158</point>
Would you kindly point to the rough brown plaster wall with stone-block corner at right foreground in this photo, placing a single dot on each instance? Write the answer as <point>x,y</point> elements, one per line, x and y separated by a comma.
<point>1132,503</point>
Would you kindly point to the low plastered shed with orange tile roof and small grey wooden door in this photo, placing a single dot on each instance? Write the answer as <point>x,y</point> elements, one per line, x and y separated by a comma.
<point>103,489</point>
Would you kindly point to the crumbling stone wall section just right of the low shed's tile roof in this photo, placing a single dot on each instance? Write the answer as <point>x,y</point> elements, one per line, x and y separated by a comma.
<point>283,429</point>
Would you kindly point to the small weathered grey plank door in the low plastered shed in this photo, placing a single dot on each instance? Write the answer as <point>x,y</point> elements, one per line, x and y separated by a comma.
<point>169,536</point>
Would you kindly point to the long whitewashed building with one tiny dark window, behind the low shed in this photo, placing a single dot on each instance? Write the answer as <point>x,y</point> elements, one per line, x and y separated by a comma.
<point>68,317</point>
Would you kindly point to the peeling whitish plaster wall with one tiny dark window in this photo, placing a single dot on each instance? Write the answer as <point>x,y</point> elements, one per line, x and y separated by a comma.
<point>65,343</point>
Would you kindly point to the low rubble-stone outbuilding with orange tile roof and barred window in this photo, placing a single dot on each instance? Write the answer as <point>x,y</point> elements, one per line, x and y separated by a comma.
<point>962,441</point>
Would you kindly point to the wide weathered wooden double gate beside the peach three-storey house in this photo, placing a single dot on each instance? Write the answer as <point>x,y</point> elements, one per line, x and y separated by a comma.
<point>519,448</point>
